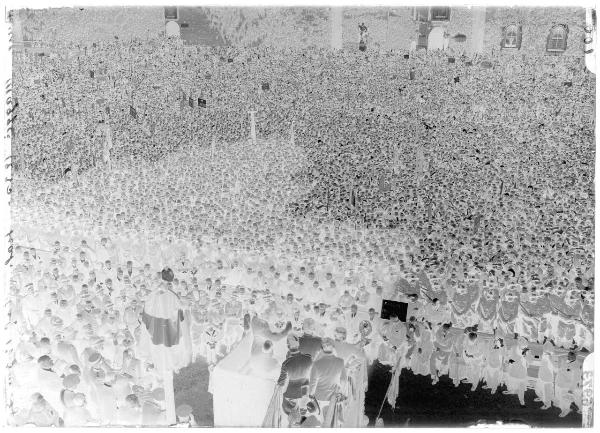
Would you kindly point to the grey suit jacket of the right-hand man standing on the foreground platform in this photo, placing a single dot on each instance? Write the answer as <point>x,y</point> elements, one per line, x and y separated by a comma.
<point>326,375</point>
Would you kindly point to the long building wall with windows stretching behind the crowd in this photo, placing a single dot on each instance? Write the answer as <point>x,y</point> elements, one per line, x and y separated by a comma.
<point>469,30</point>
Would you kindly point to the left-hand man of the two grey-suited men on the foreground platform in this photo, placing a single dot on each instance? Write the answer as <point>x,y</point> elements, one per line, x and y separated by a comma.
<point>295,374</point>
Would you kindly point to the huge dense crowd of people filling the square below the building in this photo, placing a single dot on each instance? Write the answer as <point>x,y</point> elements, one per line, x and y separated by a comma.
<point>466,192</point>
